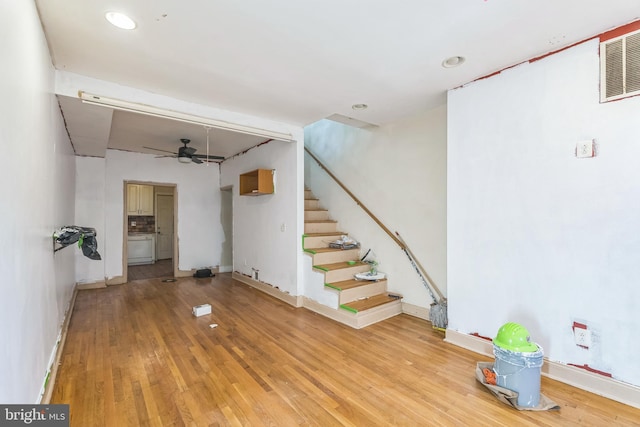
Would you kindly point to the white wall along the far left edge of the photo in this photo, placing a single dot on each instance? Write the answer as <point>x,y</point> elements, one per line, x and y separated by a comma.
<point>38,197</point>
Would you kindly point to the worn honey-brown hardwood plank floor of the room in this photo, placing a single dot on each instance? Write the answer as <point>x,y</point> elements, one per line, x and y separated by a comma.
<point>135,355</point>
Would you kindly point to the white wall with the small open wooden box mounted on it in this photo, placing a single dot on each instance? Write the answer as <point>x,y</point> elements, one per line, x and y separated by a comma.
<point>267,229</point>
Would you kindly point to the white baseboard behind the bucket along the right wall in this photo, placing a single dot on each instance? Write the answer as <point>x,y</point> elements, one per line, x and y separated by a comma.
<point>580,378</point>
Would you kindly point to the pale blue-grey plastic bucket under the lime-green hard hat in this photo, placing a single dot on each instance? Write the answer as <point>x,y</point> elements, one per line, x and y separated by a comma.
<point>520,372</point>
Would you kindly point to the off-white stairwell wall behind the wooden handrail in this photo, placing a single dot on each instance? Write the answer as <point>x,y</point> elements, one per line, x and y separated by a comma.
<point>399,172</point>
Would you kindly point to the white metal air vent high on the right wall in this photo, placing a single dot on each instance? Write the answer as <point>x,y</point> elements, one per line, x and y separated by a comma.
<point>620,67</point>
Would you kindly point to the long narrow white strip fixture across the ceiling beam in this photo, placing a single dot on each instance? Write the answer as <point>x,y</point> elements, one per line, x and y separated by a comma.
<point>149,110</point>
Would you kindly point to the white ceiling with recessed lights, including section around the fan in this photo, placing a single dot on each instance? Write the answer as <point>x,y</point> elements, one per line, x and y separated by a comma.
<point>298,61</point>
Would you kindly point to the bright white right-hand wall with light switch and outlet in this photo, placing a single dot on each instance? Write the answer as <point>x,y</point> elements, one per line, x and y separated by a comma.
<point>536,235</point>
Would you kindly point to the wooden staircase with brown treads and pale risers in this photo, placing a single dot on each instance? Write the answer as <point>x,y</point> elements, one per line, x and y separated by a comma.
<point>360,302</point>
